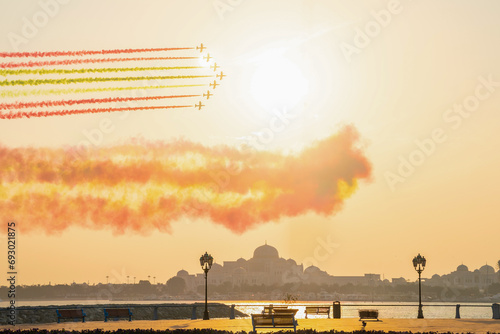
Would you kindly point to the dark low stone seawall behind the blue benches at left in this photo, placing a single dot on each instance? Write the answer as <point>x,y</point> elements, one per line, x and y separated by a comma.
<point>47,314</point>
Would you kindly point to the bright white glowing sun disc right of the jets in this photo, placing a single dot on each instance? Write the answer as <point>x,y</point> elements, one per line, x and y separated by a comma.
<point>277,83</point>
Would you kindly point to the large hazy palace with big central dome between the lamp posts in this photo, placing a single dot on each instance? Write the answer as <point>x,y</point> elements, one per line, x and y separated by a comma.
<point>266,267</point>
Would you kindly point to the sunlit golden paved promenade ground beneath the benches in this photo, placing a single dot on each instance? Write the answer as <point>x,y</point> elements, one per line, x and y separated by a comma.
<point>414,325</point>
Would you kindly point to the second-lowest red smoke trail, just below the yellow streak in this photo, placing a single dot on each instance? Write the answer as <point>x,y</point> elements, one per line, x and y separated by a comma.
<point>19,105</point>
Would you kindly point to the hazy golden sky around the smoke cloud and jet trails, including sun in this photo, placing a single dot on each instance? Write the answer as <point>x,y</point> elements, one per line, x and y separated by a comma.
<point>420,81</point>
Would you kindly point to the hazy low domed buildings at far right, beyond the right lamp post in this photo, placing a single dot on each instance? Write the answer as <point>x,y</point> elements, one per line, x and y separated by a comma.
<point>462,277</point>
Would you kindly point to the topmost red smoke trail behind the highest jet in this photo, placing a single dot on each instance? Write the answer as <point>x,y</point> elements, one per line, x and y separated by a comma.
<point>82,53</point>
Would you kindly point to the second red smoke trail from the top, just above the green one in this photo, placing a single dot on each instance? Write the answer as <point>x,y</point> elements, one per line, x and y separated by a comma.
<point>85,61</point>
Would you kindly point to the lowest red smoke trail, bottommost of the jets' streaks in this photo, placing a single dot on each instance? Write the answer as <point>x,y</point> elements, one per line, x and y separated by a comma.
<point>30,114</point>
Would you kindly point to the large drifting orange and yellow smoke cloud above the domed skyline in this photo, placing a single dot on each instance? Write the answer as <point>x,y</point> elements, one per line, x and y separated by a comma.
<point>145,186</point>
